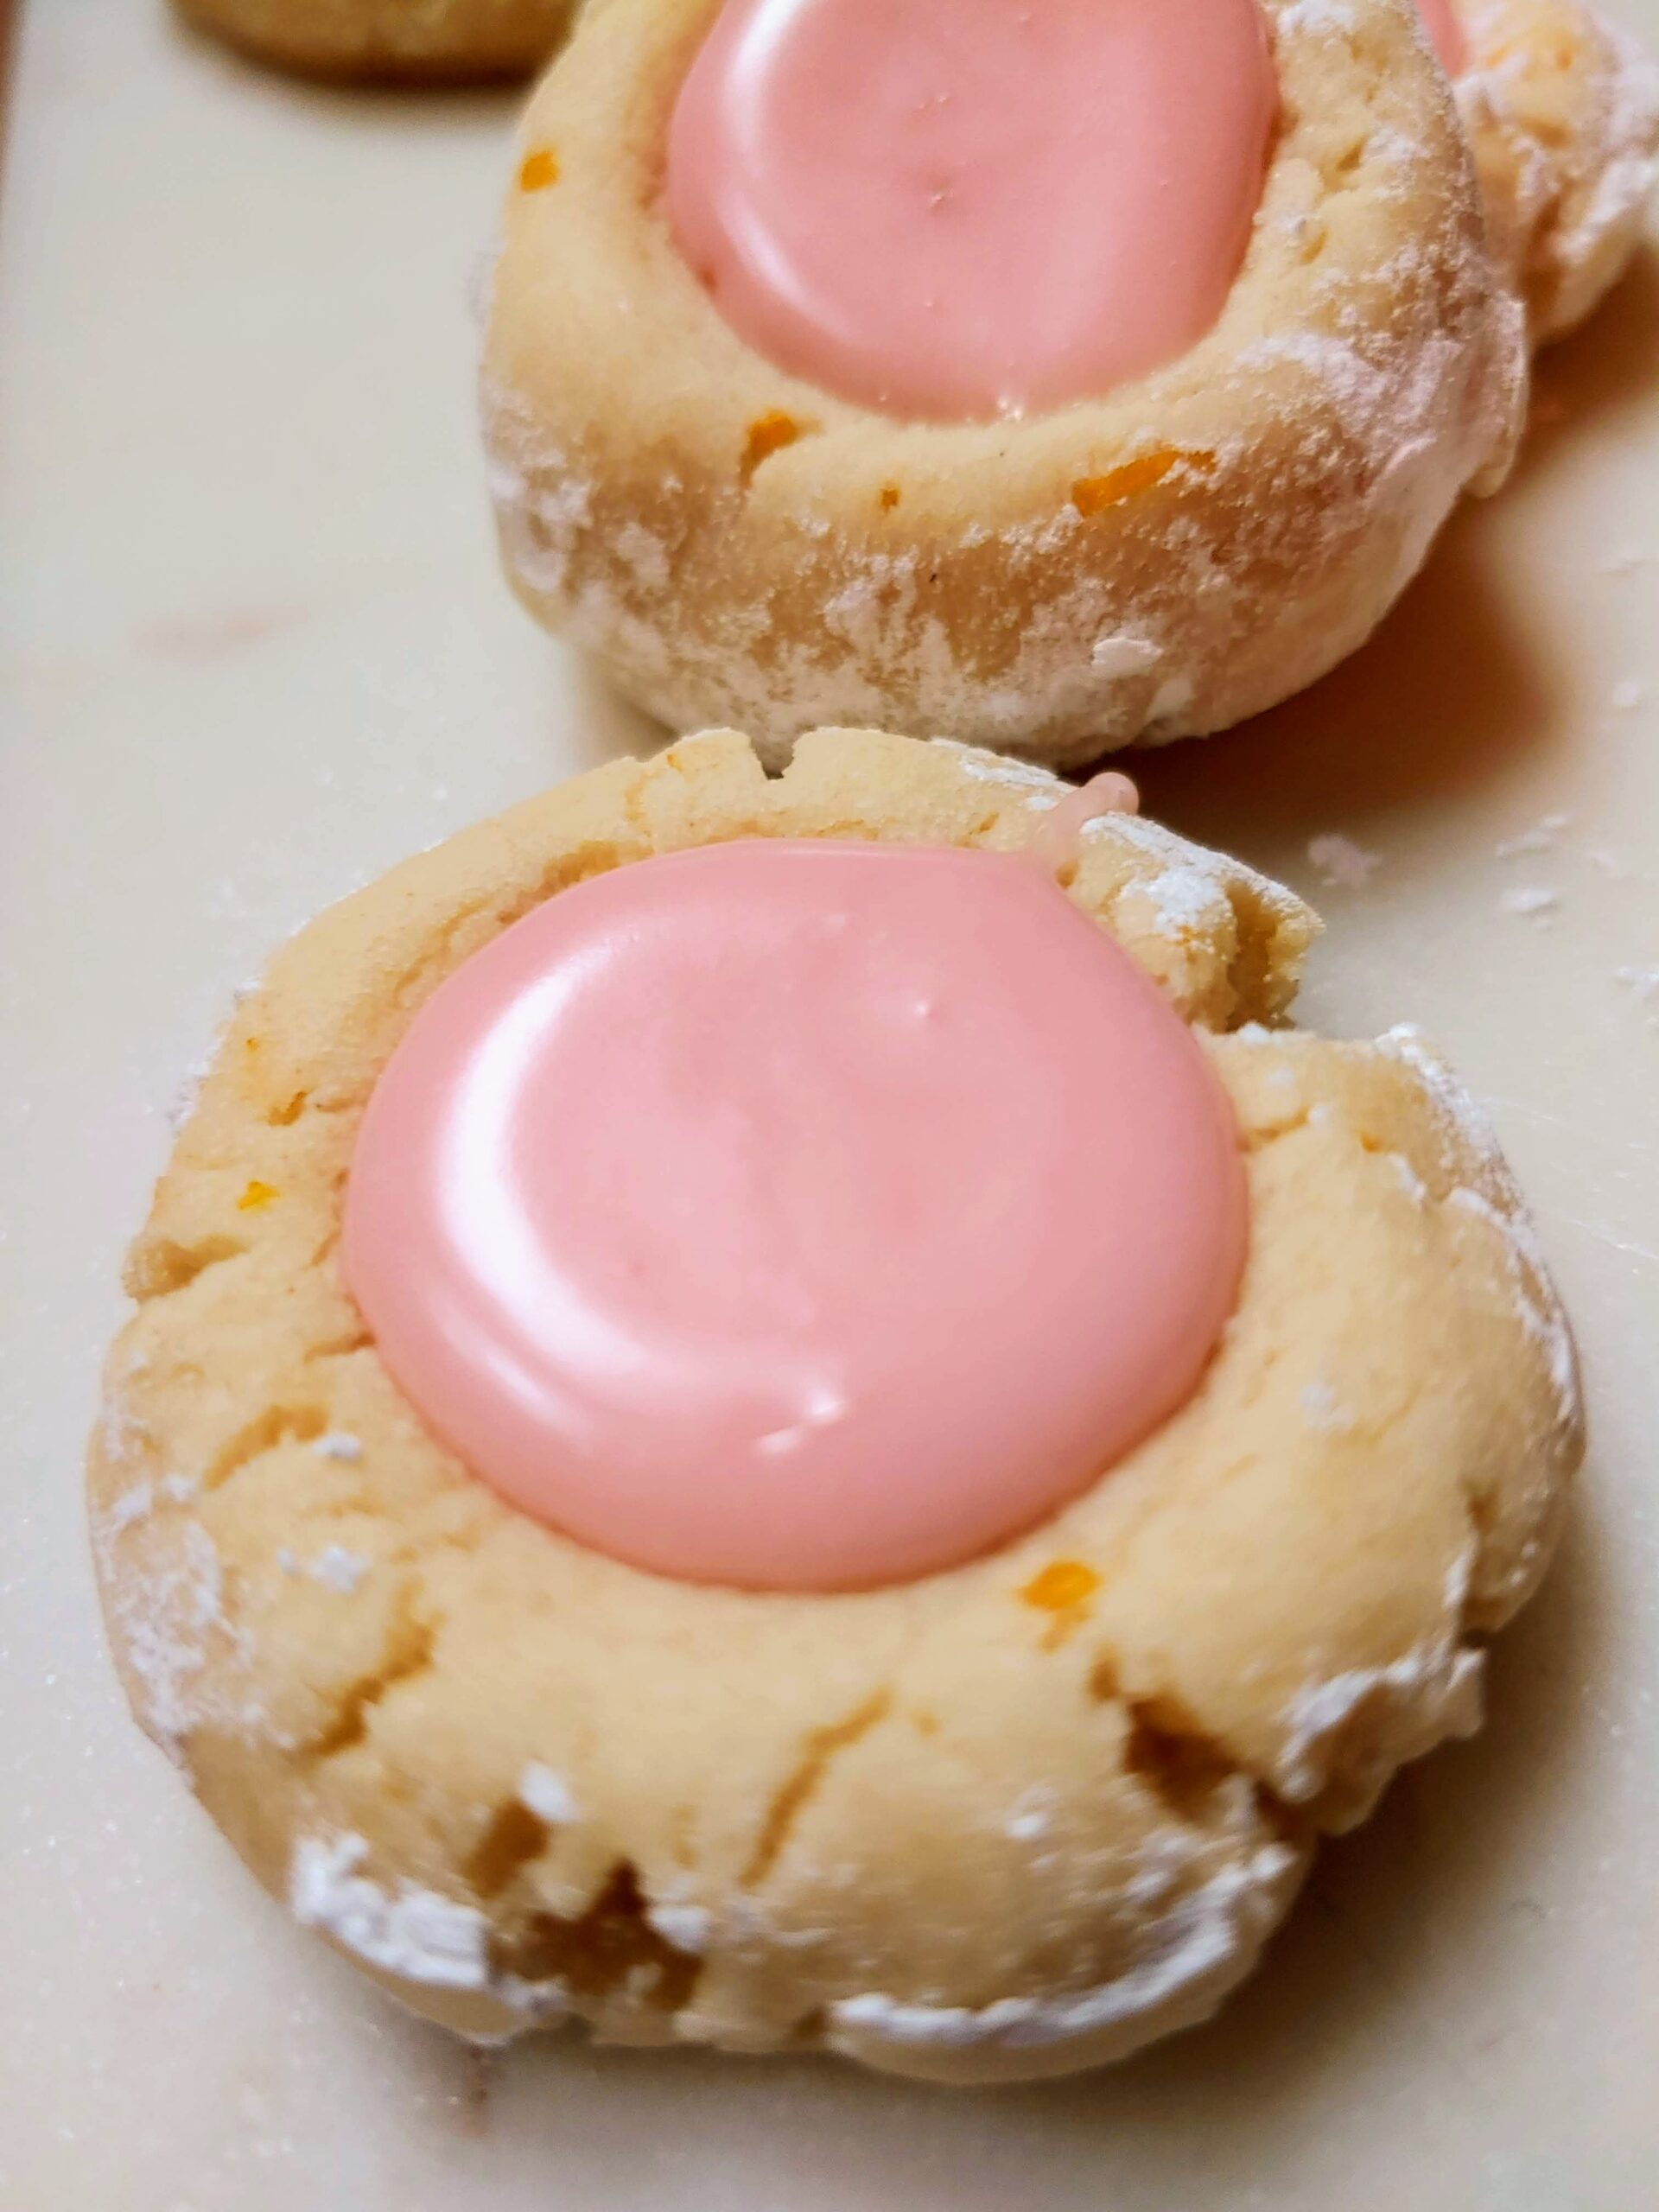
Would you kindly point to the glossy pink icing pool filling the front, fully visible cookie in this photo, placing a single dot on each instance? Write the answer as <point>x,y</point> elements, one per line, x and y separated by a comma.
<point>797,1215</point>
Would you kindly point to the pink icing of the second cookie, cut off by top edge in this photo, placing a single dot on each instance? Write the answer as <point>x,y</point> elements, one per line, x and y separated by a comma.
<point>954,209</point>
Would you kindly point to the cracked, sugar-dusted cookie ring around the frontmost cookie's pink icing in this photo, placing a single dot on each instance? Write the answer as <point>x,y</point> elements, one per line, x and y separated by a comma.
<point>1010,1819</point>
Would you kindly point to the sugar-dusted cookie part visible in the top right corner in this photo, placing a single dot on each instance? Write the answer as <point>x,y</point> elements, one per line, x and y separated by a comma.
<point>1563,112</point>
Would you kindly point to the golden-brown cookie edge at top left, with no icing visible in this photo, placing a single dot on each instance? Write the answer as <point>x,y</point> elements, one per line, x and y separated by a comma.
<point>390,41</point>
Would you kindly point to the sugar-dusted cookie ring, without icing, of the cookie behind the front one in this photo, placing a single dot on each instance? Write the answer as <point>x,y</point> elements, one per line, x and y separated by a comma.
<point>1167,559</point>
